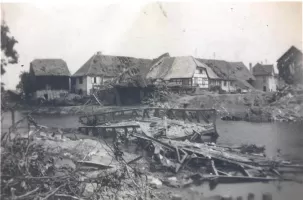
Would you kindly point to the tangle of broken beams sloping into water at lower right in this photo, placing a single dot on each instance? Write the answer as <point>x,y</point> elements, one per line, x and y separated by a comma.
<point>216,161</point>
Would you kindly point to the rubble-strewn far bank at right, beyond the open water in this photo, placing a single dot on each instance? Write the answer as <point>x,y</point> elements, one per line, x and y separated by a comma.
<point>255,106</point>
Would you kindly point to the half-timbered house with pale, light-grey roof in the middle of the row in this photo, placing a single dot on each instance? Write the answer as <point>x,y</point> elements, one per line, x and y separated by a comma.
<point>183,71</point>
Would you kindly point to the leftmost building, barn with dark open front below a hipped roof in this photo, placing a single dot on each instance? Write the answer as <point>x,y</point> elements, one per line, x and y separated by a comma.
<point>51,78</point>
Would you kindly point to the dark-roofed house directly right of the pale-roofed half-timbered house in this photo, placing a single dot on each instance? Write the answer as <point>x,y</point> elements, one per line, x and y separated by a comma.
<point>233,76</point>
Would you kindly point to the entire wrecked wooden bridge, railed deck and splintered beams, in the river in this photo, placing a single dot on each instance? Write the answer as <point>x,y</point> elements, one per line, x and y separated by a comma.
<point>219,164</point>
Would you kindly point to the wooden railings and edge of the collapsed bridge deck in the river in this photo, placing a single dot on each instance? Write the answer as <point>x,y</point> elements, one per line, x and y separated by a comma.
<point>199,116</point>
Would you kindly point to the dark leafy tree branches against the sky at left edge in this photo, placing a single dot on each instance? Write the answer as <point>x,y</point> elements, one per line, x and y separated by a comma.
<point>9,54</point>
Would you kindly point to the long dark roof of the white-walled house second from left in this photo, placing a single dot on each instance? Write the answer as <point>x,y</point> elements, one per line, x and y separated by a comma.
<point>109,66</point>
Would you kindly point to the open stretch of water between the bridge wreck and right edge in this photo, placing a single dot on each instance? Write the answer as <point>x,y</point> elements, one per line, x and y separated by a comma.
<point>288,137</point>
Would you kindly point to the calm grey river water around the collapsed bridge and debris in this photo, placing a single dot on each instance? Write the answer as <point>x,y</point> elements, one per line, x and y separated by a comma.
<point>288,137</point>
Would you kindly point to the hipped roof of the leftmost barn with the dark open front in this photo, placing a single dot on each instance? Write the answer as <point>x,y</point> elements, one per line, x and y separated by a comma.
<point>49,67</point>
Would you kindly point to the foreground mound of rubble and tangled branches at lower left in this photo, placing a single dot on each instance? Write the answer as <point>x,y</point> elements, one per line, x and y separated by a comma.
<point>42,165</point>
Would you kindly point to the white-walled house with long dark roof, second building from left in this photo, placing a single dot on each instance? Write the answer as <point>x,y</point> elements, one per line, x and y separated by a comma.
<point>100,70</point>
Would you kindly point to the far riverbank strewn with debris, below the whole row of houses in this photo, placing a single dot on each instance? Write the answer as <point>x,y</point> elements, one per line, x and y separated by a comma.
<point>286,105</point>
